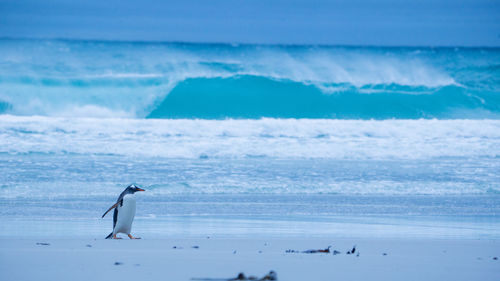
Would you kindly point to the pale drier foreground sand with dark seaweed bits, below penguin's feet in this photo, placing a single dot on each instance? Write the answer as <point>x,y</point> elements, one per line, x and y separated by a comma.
<point>209,258</point>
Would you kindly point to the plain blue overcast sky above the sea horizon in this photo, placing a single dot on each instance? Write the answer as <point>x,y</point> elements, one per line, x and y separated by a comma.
<point>336,22</point>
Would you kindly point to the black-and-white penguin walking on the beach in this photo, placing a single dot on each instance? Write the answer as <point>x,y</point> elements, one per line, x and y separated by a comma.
<point>124,212</point>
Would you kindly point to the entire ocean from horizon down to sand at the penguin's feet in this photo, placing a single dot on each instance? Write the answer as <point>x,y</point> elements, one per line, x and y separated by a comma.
<point>229,139</point>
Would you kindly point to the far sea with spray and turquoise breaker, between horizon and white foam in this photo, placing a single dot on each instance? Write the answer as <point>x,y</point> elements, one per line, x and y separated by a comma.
<point>173,80</point>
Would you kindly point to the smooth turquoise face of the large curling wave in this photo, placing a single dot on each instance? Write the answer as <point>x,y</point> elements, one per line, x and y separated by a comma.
<point>249,96</point>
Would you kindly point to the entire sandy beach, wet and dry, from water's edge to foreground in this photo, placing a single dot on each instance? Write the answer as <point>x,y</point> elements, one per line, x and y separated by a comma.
<point>219,236</point>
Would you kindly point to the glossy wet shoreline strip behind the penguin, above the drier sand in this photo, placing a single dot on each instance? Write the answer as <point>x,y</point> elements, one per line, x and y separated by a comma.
<point>253,215</point>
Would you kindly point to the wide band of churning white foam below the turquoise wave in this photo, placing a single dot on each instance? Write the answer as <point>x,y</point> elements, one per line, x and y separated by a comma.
<point>279,138</point>
